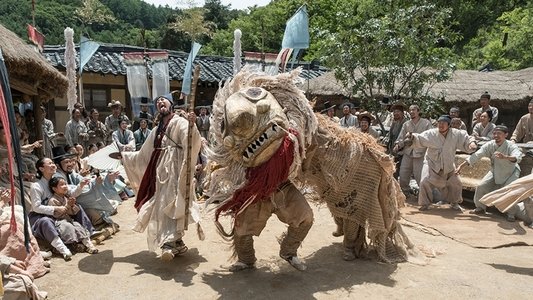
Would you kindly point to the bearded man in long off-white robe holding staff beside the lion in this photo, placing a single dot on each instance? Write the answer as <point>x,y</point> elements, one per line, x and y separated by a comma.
<point>158,173</point>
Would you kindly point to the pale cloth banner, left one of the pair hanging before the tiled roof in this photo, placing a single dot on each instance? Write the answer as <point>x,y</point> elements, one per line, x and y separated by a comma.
<point>137,80</point>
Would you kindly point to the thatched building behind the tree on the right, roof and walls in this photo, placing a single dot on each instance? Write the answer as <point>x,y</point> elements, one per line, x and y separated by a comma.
<point>510,92</point>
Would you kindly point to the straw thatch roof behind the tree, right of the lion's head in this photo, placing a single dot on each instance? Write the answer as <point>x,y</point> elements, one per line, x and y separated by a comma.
<point>464,86</point>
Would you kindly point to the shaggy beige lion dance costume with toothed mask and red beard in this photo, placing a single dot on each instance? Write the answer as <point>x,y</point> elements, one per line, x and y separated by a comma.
<point>269,145</point>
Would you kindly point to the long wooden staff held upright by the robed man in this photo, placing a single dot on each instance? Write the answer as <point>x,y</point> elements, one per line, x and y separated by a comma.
<point>188,166</point>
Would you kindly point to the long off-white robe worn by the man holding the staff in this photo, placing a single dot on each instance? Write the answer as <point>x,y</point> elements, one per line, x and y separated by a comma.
<point>164,214</point>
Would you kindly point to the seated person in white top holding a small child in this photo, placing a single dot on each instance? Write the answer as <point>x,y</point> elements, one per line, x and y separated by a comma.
<point>42,215</point>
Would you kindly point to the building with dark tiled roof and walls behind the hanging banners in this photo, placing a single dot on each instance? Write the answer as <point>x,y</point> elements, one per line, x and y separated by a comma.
<point>104,76</point>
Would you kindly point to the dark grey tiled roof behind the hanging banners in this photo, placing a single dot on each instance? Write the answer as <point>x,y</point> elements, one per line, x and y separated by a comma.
<point>109,60</point>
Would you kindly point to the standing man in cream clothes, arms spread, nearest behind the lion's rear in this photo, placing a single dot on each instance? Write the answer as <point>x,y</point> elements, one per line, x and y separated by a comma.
<point>438,171</point>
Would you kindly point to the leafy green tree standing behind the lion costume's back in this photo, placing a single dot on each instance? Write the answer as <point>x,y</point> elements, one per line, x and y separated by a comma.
<point>395,49</point>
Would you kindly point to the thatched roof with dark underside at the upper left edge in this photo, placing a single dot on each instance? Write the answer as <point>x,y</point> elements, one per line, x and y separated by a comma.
<point>26,67</point>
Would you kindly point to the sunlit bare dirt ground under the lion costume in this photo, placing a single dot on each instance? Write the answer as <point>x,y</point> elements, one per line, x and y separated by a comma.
<point>125,269</point>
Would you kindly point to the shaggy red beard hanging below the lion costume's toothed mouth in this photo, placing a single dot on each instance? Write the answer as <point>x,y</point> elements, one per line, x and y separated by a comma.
<point>263,180</point>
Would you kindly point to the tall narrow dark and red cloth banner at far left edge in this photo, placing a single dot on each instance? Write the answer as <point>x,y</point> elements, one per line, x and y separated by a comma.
<point>9,122</point>
